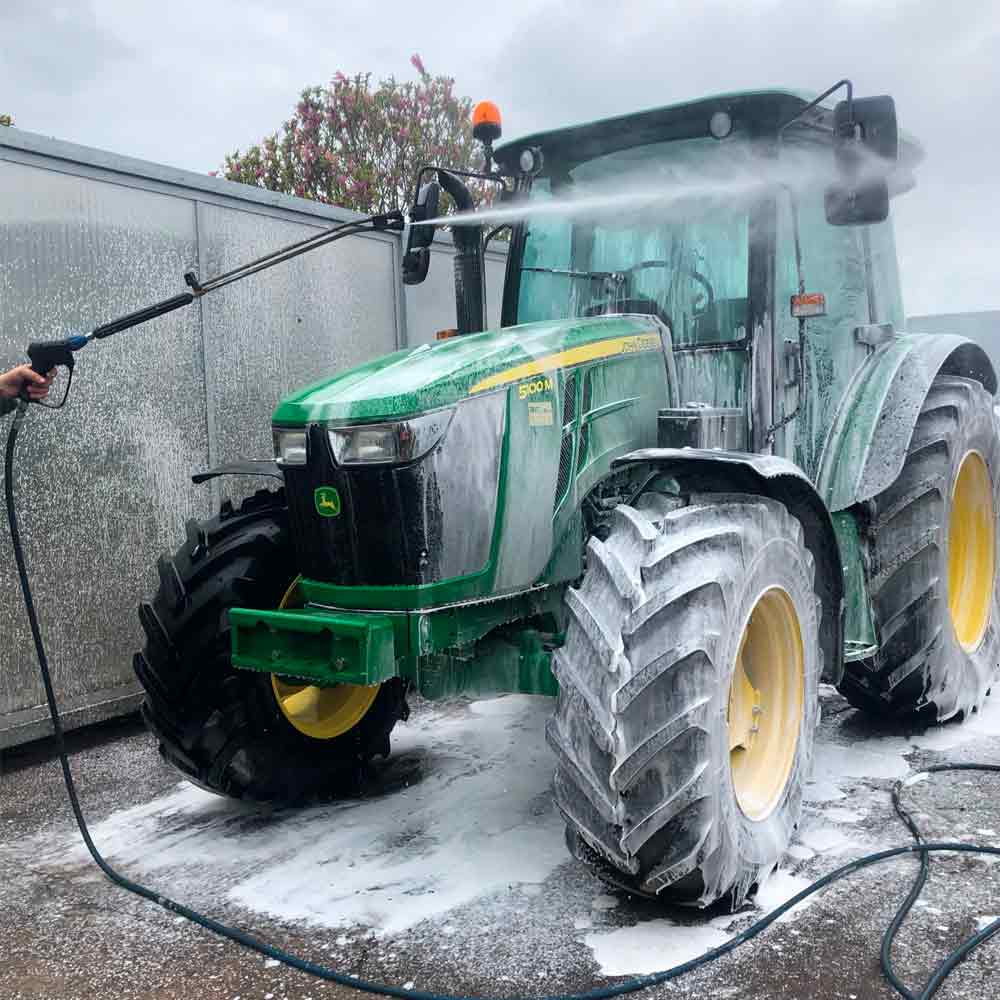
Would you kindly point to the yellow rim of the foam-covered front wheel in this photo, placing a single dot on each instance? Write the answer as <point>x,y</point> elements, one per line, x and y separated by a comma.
<point>765,704</point>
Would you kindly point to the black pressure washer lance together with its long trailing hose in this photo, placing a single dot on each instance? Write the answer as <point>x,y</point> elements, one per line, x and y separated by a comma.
<point>48,354</point>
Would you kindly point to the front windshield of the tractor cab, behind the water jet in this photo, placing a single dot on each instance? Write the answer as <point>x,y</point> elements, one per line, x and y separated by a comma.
<point>661,229</point>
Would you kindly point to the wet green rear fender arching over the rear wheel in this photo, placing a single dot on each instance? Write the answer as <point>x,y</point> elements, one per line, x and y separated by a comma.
<point>867,444</point>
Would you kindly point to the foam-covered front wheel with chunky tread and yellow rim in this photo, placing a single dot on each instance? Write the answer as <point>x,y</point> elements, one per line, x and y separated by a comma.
<point>688,700</point>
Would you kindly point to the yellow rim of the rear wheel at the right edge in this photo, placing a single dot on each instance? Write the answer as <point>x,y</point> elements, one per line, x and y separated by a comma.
<point>971,551</point>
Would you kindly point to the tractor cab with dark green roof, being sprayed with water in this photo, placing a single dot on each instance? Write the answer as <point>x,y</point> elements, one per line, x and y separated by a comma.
<point>747,223</point>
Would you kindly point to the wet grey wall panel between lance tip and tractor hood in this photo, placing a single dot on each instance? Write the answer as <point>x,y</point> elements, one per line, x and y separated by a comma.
<point>295,324</point>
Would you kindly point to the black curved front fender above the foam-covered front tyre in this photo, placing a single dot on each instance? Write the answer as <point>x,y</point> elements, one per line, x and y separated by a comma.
<point>770,476</point>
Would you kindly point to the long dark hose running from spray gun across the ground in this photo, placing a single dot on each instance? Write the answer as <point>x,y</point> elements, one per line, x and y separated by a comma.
<point>601,993</point>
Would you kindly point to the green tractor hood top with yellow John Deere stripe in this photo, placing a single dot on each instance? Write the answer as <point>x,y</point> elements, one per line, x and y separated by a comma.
<point>441,374</point>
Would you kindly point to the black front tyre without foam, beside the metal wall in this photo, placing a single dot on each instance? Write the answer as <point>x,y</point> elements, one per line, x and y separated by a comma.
<point>226,729</point>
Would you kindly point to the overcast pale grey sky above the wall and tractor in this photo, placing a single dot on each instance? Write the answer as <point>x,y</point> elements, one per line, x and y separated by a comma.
<point>184,82</point>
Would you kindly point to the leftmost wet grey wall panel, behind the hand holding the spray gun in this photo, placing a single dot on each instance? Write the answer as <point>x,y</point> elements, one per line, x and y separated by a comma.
<point>102,485</point>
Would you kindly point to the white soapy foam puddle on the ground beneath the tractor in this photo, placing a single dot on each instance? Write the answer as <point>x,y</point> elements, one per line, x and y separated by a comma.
<point>463,830</point>
